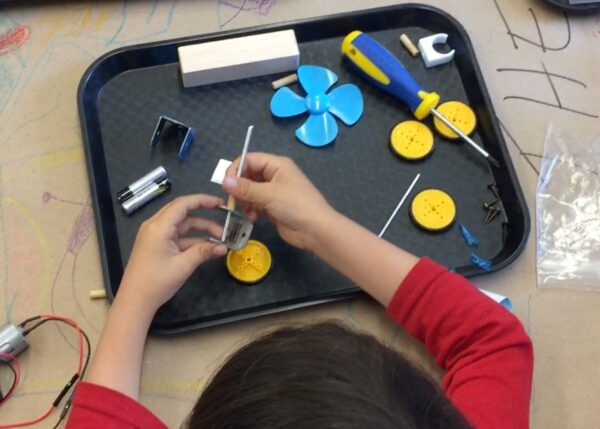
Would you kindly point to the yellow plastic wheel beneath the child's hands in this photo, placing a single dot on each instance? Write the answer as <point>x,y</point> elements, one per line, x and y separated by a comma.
<point>250,264</point>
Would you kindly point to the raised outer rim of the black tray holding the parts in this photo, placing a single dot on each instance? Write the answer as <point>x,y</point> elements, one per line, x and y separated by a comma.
<point>109,275</point>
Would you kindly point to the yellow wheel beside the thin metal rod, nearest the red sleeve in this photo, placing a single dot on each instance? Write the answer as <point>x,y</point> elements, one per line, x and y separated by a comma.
<point>433,210</point>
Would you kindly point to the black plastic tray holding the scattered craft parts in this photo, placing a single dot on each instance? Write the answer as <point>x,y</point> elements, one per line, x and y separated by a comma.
<point>123,93</point>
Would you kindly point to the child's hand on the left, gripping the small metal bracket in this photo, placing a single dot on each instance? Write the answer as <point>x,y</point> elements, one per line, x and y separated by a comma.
<point>163,258</point>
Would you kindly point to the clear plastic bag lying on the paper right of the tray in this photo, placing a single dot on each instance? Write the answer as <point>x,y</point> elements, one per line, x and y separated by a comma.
<point>568,213</point>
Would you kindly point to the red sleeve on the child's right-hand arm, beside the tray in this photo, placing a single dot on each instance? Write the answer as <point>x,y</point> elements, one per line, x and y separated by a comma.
<point>487,356</point>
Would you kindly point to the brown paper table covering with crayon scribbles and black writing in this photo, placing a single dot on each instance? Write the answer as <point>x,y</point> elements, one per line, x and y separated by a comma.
<point>540,66</point>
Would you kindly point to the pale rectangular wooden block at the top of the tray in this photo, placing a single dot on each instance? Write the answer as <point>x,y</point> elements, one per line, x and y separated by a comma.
<point>238,58</point>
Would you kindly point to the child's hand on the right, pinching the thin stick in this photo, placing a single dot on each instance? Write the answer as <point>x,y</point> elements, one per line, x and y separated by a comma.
<point>276,188</point>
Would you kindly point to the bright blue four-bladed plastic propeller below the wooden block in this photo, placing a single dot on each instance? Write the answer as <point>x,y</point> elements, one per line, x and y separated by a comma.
<point>320,128</point>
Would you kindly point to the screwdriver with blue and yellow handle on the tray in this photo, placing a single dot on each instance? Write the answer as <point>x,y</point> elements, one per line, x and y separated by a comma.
<point>380,67</point>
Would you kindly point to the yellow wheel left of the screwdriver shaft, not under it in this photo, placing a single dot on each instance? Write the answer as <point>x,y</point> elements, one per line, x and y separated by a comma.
<point>412,140</point>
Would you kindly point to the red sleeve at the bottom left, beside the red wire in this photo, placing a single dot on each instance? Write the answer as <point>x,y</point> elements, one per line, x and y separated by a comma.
<point>96,407</point>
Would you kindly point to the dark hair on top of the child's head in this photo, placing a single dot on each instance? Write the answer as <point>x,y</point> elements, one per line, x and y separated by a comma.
<point>321,376</point>
